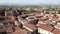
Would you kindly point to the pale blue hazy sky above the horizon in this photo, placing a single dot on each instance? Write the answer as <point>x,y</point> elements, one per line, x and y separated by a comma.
<point>29,2</point>
